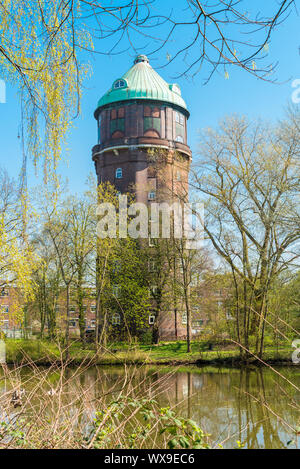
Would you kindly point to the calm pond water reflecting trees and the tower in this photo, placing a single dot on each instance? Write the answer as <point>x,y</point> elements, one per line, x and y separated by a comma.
<point>255,406</point>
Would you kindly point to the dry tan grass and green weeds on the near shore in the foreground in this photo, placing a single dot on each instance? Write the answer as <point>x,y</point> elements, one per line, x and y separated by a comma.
<point>61,407</point>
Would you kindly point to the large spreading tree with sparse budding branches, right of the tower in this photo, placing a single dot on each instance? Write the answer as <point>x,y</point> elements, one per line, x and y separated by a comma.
<point>248,177</point>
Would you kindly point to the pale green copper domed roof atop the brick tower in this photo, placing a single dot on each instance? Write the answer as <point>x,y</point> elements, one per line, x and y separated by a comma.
<point>142,82</point>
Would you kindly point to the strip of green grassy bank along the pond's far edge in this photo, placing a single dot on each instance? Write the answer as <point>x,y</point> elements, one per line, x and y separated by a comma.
<point>166,353</point>
